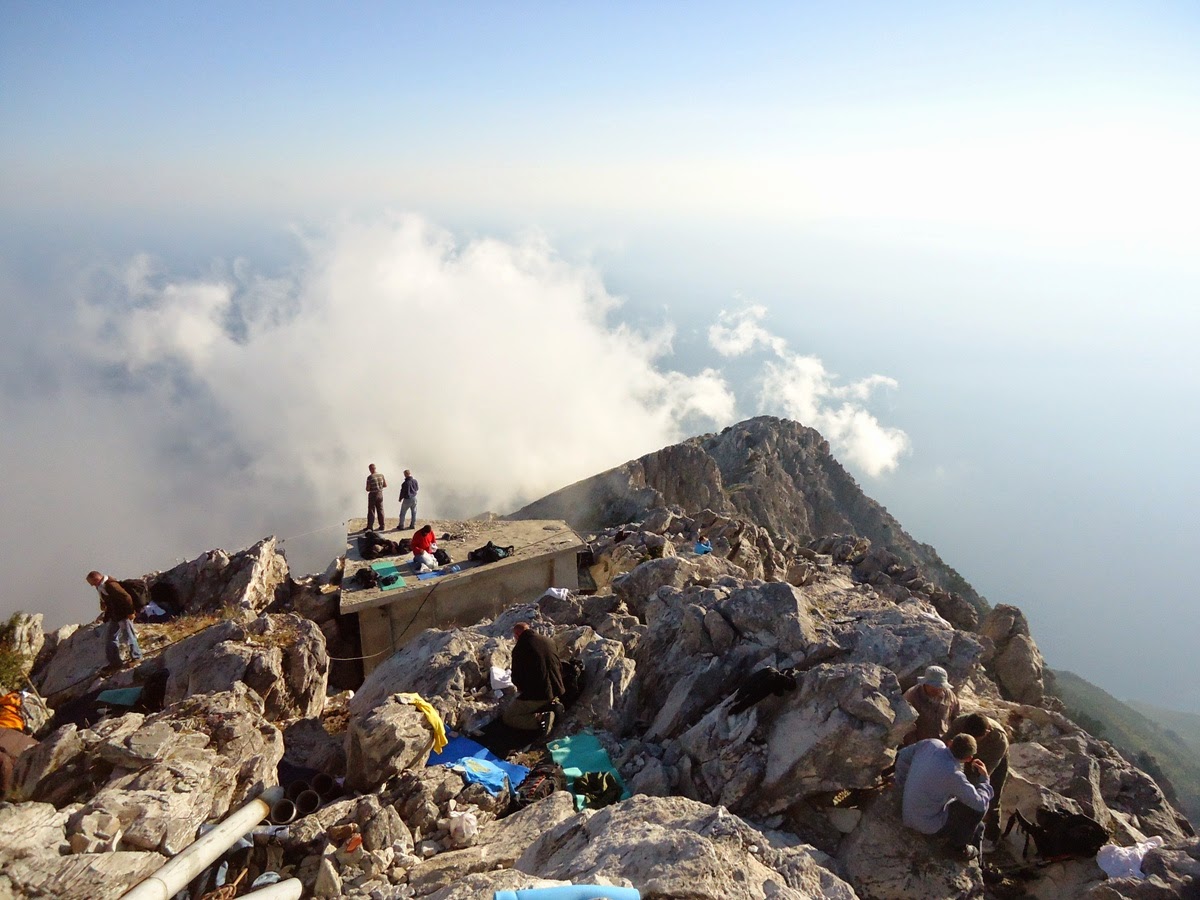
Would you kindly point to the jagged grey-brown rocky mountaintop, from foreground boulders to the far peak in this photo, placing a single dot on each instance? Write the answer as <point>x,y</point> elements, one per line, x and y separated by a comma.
<point>749,701</point>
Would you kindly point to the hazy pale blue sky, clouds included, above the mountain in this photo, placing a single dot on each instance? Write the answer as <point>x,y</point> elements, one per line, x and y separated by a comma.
<point>991,208</point>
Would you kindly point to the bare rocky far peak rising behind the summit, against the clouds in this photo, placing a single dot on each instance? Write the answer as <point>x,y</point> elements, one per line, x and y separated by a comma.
<point>772,472</point>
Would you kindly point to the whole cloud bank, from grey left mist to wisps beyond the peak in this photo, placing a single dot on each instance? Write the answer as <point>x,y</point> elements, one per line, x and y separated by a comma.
<point>211,410</point>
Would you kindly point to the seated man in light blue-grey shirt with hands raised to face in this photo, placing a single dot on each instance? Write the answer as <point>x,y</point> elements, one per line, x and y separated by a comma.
<point>945,793</point>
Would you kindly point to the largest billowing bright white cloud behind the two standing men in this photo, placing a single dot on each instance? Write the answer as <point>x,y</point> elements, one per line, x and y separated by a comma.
<point>491,368</point>
